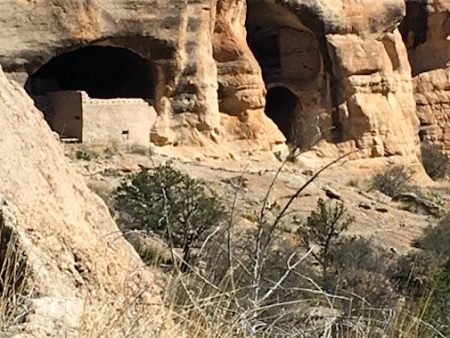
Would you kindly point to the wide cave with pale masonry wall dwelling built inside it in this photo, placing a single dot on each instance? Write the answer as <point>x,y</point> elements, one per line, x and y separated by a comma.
<point>97,93</point>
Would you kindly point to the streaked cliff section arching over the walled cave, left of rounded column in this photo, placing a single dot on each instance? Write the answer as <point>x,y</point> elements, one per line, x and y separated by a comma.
<point>169,34</point>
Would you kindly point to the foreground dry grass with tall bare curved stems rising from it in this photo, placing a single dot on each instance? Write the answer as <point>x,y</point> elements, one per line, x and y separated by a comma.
<point>206,307</point>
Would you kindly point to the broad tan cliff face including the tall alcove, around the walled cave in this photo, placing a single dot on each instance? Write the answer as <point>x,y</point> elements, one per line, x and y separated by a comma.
<point>332,71</point>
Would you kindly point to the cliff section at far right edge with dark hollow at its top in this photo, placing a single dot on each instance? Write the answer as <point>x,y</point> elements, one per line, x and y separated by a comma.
<point>426,31</point>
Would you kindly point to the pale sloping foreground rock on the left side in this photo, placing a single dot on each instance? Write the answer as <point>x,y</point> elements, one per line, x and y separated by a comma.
<point>72,246</point>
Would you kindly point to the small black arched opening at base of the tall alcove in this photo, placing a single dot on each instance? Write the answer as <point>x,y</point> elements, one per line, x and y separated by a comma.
<point>281,107</point>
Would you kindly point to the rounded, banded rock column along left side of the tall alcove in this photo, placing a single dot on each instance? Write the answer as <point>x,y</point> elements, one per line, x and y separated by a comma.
<point>241,91</point>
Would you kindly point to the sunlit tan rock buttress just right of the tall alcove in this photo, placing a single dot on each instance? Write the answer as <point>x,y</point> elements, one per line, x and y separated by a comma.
<point>376,104</point>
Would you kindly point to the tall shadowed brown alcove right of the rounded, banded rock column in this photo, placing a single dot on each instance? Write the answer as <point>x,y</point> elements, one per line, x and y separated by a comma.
<point>291,48</point>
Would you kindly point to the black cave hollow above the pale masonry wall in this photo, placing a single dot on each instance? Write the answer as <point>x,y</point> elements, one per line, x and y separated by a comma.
<point>102,72</point>
